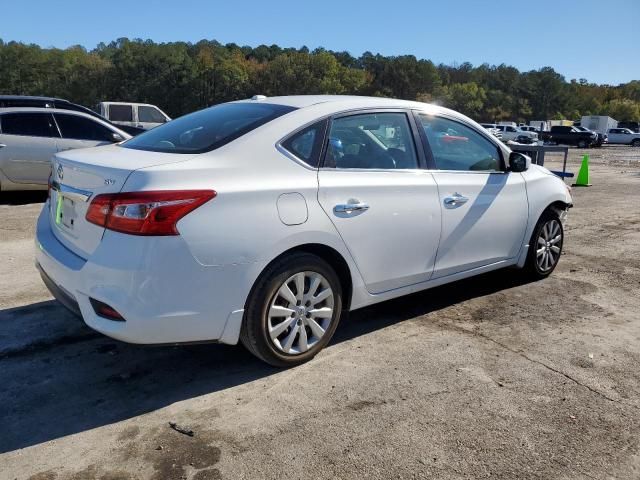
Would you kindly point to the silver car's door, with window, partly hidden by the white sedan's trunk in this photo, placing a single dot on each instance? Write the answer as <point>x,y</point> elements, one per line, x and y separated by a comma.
<point>78,131</point>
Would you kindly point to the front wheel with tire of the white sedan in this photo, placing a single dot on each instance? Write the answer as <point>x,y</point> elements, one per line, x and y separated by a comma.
<point>545,246</point>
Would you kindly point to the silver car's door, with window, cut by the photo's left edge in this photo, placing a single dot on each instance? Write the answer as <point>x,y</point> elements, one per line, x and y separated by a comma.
<point>28,142</point>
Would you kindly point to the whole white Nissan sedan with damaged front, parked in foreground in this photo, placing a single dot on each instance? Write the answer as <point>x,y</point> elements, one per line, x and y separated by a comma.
<point>264,220</point>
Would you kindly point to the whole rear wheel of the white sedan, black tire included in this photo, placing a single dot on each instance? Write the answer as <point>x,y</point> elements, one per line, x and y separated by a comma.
<point>307,324</point>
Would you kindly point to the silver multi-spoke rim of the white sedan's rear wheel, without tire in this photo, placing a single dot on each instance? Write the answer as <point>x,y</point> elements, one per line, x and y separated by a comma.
<point>300,312</point>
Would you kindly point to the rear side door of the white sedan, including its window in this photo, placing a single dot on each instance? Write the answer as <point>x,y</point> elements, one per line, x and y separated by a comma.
<point>382,203</point>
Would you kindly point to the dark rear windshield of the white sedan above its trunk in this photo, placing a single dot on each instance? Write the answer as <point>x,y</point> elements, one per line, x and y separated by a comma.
<point>207,129</point>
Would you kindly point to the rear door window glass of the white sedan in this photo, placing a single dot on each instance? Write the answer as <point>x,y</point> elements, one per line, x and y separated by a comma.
<point>376,141</point>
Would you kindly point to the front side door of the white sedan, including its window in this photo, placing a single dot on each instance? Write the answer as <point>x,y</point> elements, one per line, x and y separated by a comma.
<point>484,207</point>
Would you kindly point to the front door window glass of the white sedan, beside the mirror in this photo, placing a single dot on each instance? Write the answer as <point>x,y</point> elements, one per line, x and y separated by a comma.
<point>457,147</point>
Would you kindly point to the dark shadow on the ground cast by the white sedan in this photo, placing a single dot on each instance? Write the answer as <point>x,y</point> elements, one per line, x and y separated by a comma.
<point>81,380</point>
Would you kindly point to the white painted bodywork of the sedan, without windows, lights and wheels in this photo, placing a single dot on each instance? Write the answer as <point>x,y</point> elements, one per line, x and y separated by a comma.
<point>194,286</point>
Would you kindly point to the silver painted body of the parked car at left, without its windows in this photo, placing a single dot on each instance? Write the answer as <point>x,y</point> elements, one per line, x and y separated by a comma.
<point>25,161</point>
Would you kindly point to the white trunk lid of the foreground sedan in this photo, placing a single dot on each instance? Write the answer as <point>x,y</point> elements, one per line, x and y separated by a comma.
<point>79,175</point>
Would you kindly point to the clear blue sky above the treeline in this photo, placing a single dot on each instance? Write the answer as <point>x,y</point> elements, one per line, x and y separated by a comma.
<point>590,39</point>
